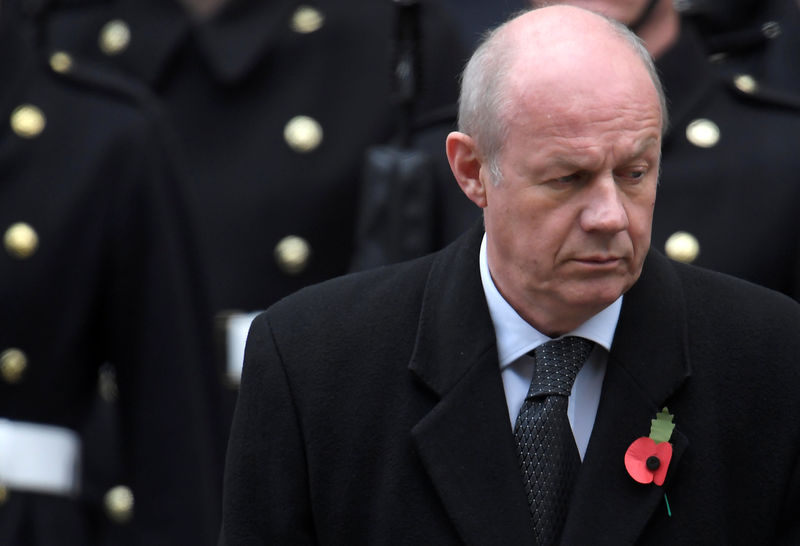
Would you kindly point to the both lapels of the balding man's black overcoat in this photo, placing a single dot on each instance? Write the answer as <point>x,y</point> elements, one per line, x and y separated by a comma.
<point>466,444</point>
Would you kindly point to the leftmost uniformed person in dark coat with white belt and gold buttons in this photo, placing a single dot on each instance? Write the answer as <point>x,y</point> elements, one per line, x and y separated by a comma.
<point>96,274</point>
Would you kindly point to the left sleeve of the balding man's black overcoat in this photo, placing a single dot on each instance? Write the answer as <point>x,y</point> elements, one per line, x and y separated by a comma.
<point>266,490</point>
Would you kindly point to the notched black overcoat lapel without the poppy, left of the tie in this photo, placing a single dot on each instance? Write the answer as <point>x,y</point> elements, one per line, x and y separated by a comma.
<point>465,441</point>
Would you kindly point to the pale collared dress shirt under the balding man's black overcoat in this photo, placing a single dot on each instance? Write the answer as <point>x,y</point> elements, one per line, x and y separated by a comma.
<point>516,338</point>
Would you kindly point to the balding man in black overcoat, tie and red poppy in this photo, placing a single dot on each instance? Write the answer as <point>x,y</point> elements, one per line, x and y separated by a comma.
<point>383,407</point>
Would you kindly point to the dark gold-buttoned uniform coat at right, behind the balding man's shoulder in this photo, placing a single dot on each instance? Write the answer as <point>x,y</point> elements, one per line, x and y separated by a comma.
<point>740,196</point>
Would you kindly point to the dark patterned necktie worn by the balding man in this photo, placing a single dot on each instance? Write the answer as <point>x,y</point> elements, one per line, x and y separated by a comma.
<point>548,455</point>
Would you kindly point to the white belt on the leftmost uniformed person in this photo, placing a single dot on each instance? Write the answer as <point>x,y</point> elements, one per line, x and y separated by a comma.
<point>39,458</point>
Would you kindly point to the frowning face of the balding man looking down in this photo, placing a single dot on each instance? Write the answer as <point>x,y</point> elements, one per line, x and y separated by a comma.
<point>568,226</point>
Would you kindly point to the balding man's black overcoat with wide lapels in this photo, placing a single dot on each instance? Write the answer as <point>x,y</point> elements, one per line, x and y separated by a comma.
<point>372,412</point>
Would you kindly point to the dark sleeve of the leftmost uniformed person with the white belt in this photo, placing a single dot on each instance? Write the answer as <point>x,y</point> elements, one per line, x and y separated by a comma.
<point>167,403</point>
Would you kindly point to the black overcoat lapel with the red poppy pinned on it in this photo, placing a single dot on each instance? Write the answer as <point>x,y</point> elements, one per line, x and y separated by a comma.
<point>648,362</point>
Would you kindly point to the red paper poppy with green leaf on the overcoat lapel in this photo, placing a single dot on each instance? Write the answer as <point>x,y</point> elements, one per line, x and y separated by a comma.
<point>648,457</point>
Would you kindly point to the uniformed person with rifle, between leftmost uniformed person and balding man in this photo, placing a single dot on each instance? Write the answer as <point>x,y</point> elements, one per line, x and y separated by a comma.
<point>274,103</point>
